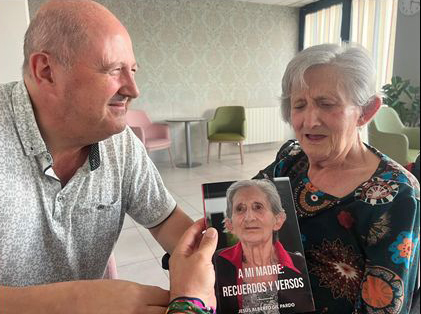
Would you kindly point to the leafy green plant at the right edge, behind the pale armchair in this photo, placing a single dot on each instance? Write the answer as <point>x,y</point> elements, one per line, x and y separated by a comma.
<point>405,99</point>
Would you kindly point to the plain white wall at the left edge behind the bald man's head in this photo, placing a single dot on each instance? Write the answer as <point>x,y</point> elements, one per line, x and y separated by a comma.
<point>14,20</point>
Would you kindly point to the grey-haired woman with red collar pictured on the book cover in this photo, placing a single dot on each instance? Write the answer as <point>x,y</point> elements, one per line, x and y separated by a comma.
<point>250,273</point>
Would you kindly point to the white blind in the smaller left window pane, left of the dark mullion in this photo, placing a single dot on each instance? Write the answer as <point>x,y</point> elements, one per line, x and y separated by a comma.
<point>323,26</point>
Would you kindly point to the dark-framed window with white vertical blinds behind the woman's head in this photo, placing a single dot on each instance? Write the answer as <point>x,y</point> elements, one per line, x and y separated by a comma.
<point>371,23</point>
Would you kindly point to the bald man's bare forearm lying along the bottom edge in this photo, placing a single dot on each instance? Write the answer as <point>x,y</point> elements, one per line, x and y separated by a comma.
<point>91,296</point>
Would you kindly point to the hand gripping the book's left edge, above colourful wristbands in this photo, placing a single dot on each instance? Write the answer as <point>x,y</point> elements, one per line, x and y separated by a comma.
<point>191,269</point>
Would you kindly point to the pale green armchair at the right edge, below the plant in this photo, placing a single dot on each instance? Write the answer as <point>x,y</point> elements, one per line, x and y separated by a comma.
<point>388,134</point>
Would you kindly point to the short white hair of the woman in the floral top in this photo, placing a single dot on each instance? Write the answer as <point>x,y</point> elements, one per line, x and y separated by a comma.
<point>352,62</point>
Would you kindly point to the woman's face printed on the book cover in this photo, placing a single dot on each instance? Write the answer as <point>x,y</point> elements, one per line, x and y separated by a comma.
<point>252,218</point>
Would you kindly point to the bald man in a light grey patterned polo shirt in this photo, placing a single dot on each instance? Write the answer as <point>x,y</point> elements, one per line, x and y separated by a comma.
<point>70,169</point>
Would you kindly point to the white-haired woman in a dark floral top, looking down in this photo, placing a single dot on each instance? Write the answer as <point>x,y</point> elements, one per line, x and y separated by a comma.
<point>358,210</point>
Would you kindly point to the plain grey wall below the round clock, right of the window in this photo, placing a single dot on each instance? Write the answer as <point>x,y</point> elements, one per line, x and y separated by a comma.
<point>407,48</point>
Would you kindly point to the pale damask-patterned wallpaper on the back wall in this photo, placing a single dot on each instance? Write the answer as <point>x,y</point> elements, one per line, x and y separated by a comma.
<point>196,55</point>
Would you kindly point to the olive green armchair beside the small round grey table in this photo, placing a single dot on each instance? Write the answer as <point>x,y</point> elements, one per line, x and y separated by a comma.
<point>227,126</point>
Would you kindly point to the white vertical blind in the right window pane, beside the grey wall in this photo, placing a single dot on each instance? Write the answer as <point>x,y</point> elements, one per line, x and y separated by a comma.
<point>373,25</point>
